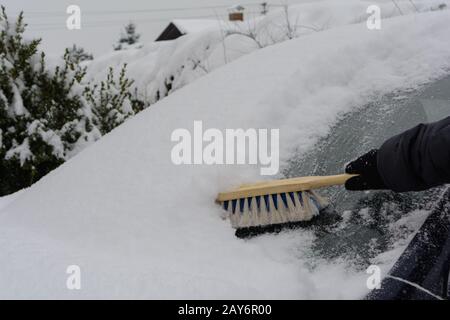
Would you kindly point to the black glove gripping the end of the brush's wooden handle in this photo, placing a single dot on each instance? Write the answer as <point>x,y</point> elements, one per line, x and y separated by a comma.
<point>366,167</point>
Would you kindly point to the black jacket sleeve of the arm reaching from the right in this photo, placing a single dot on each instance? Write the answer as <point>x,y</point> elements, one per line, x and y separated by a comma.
<point>417,159</point>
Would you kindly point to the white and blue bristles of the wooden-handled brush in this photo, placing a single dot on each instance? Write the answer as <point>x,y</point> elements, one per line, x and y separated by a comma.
<point>274,209</point>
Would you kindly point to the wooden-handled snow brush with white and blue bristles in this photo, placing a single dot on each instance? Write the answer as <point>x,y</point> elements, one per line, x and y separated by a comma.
<point>271,205</point>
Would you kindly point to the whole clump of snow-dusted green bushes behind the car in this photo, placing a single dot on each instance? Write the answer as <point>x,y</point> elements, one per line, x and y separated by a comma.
<point>48,115</point>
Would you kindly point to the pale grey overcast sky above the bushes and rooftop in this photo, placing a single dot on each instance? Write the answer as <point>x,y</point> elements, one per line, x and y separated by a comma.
<point>102,20</point>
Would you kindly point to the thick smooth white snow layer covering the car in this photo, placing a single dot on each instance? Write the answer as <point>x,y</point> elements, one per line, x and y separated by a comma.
<point>139,226</point>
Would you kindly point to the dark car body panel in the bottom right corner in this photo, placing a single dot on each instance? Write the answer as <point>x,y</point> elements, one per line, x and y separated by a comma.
<point>422,271</point>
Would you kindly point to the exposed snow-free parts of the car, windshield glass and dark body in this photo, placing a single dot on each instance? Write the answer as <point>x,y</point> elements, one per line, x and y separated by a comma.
<point>365,228</point>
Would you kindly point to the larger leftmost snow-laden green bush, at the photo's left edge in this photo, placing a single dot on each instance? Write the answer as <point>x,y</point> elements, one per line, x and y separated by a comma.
<point>39,118</point>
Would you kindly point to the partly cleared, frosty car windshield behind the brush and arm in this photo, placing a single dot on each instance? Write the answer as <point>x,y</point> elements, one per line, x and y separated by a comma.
<point>366,228</point>
